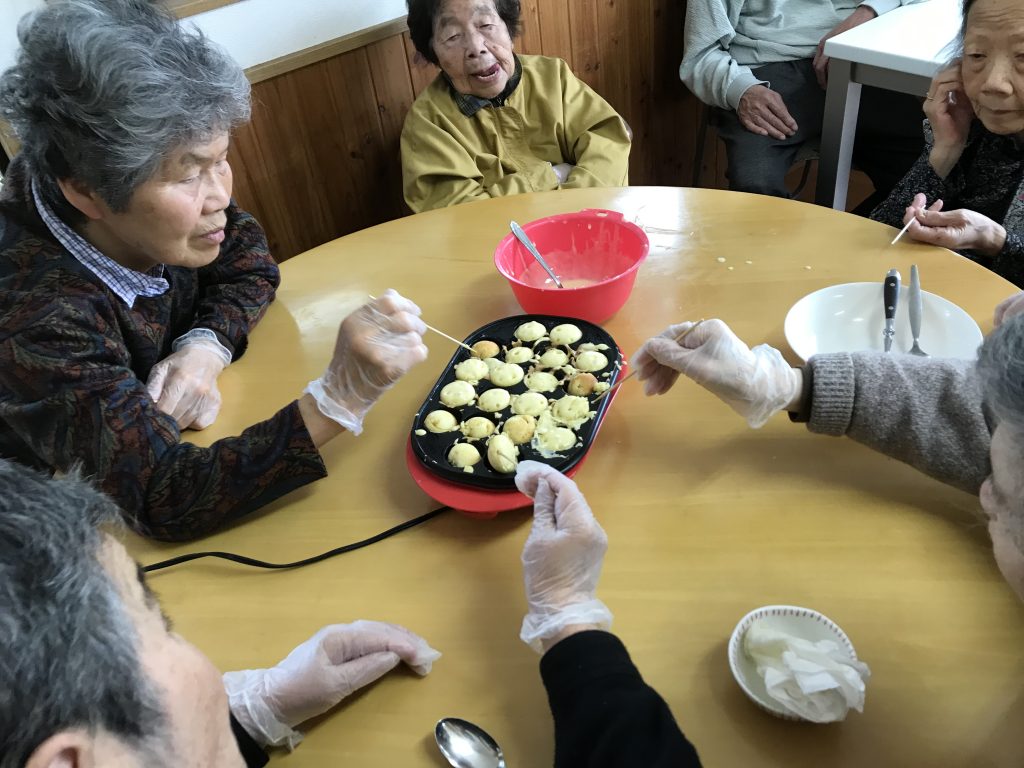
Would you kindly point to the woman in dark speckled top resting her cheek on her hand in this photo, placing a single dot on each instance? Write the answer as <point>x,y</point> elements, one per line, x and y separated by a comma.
<point>967,190</point>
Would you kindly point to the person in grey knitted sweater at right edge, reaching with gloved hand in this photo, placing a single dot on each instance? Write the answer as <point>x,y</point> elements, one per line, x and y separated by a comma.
<point>959,421</point>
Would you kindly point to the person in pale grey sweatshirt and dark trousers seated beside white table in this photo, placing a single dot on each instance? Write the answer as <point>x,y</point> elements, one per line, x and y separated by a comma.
<point>762,66</point>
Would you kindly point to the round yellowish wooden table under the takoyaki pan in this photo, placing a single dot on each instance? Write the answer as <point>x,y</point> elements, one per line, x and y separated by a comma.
<point>707,519</point>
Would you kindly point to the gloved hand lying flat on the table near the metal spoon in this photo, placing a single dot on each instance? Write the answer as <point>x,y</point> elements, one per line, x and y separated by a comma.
<point>315,677</point>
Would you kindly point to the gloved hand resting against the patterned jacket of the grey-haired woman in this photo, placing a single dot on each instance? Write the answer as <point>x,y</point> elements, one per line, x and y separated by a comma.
<point>185,383</point>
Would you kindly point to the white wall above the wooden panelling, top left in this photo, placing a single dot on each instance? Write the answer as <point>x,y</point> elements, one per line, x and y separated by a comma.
<point>252,31</point>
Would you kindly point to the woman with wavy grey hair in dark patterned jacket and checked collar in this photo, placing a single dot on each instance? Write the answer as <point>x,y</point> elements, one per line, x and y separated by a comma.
<point>130,280</point>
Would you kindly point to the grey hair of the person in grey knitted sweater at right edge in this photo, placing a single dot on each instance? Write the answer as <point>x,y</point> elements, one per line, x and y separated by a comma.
<point>1001,367</point>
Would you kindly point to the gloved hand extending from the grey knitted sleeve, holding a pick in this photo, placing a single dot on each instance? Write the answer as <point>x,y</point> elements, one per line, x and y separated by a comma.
<point>756,383</point>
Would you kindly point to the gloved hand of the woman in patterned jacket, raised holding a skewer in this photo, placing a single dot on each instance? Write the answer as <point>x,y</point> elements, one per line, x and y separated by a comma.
<point>377,345</point>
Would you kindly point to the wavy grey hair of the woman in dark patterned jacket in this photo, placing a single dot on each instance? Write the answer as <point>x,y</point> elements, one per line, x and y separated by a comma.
<point>105,91</point>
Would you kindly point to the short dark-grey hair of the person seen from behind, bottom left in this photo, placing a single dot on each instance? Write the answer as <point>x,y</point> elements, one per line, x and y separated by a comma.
<point>69,654</point>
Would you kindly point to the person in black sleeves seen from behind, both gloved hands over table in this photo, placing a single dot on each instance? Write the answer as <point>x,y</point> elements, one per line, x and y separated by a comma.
<point>92,675</point>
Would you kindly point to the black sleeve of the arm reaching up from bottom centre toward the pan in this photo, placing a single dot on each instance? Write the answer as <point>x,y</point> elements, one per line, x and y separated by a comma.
<point>606,716</point>
